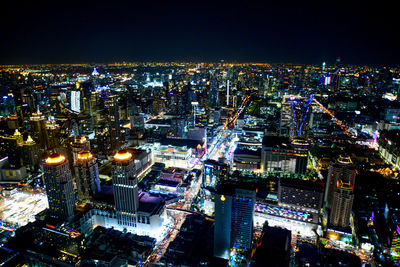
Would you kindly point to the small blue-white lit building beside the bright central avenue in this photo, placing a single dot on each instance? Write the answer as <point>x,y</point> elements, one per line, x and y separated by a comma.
<point>214,171</point>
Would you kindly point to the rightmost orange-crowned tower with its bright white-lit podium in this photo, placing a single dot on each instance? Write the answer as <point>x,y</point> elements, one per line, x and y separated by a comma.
<point>136,212</point>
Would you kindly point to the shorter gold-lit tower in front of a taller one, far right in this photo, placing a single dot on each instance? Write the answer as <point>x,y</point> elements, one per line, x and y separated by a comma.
<point>342,204</point>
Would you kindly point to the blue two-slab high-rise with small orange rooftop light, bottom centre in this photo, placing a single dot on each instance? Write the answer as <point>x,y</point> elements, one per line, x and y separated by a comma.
<point>234,209</point>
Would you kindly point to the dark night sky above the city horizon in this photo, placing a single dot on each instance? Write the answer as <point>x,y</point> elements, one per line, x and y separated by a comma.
<point>278,31</point>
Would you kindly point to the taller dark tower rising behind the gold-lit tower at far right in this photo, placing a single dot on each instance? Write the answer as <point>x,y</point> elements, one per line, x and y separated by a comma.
<point>341,169</point>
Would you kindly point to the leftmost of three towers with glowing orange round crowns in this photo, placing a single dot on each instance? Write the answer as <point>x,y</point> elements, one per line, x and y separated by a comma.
<point>59,187</point>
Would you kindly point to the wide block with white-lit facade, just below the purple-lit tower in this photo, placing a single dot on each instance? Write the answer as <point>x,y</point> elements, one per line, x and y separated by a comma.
<point>282,155</point>
